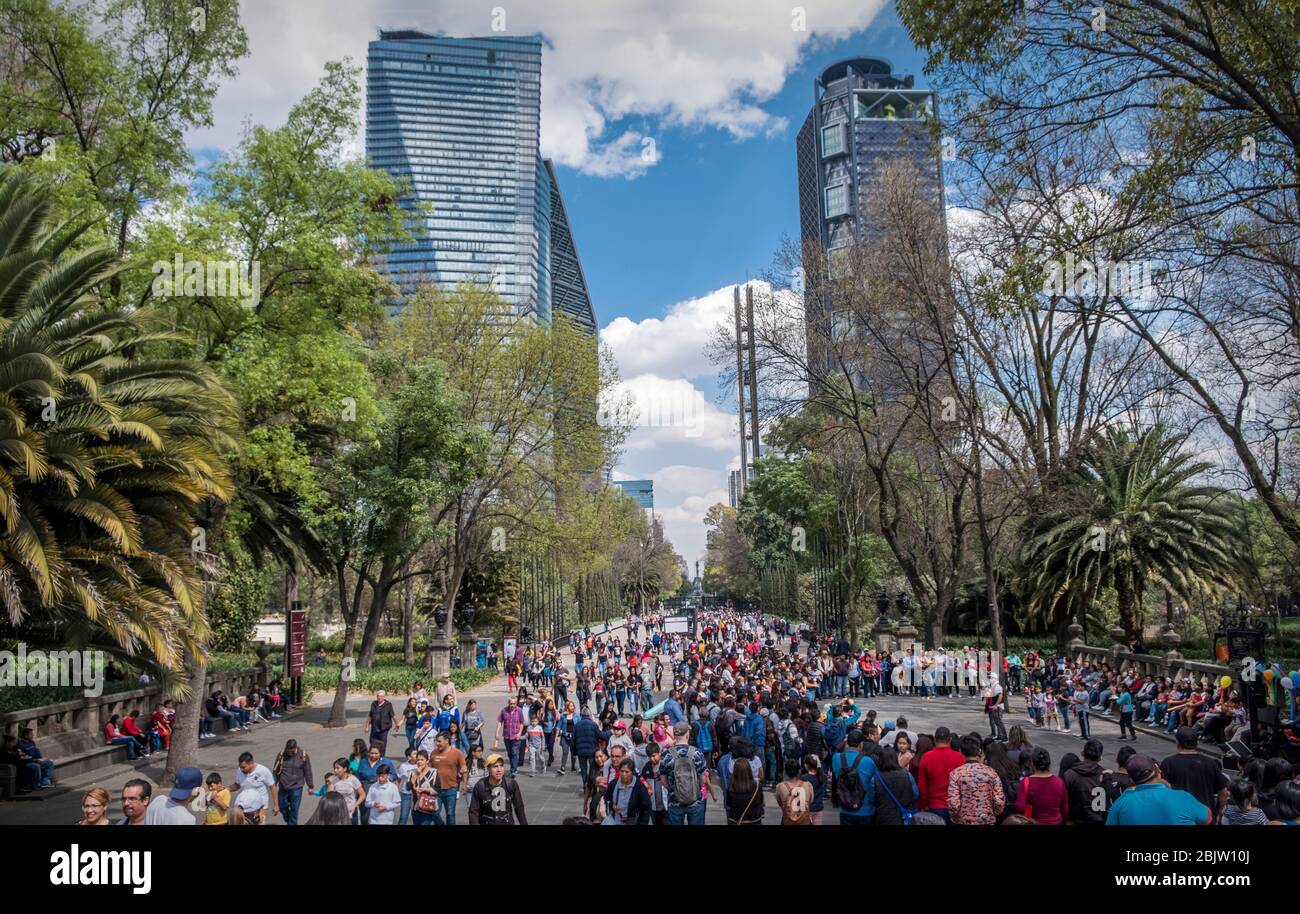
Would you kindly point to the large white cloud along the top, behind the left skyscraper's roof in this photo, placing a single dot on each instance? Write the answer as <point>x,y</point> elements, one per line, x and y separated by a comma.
<point>664,63</point>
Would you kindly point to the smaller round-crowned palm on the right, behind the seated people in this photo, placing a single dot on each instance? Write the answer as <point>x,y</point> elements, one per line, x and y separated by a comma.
<point>1125,516</point>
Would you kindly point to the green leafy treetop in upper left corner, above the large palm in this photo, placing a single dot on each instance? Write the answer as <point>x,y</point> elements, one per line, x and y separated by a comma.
<point>101,97</point>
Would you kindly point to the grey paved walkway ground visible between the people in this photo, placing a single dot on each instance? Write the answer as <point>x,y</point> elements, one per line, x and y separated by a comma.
<point>549,799</point>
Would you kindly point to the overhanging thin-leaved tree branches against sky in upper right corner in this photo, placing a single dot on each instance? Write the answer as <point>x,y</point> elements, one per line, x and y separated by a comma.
<point>1193,161</point>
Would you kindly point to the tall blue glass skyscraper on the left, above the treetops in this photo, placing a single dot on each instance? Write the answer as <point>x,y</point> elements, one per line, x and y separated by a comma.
<point>460,119</point>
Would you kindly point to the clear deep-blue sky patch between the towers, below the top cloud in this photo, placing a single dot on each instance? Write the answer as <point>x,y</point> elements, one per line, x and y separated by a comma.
<point>714,209</point>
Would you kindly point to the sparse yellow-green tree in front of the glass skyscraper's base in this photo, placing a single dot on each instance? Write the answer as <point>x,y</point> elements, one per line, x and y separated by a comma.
<point>530,396</point>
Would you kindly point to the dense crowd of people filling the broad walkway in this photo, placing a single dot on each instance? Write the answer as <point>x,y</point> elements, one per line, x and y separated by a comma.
<point>657,725</point>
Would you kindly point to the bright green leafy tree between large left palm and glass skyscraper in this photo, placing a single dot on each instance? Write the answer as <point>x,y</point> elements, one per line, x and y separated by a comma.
<point>292,202</point>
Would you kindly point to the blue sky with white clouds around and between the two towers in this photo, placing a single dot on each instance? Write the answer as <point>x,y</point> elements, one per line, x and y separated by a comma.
<point>673,128</point>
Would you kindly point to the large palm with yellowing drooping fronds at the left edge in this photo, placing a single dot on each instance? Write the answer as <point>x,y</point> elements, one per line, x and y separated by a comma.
<point>110,447</point>
